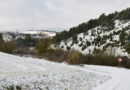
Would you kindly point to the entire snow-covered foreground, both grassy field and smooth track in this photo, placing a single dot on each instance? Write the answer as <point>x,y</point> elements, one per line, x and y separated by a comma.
<point>18,73</point>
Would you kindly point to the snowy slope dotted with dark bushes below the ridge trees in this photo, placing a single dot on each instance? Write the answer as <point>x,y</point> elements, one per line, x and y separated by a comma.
<point>100,38</point>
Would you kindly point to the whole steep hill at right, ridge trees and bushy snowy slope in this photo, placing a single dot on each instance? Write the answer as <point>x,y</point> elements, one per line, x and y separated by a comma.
<point>110,33</point>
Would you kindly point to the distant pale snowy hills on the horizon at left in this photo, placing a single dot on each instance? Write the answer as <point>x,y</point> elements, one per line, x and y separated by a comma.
<point>9,36</point>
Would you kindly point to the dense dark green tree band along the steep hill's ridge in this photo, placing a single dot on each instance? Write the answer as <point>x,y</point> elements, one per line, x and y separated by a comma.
<point>103,20</point>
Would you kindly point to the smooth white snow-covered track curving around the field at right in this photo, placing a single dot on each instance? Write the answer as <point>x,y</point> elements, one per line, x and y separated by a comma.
<point>120,78</point>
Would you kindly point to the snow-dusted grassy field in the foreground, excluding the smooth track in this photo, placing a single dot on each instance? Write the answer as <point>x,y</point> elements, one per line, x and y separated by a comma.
<point>38,74</point>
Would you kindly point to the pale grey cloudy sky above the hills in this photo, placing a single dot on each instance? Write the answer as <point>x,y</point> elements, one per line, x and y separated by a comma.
<point>53,14</point>
